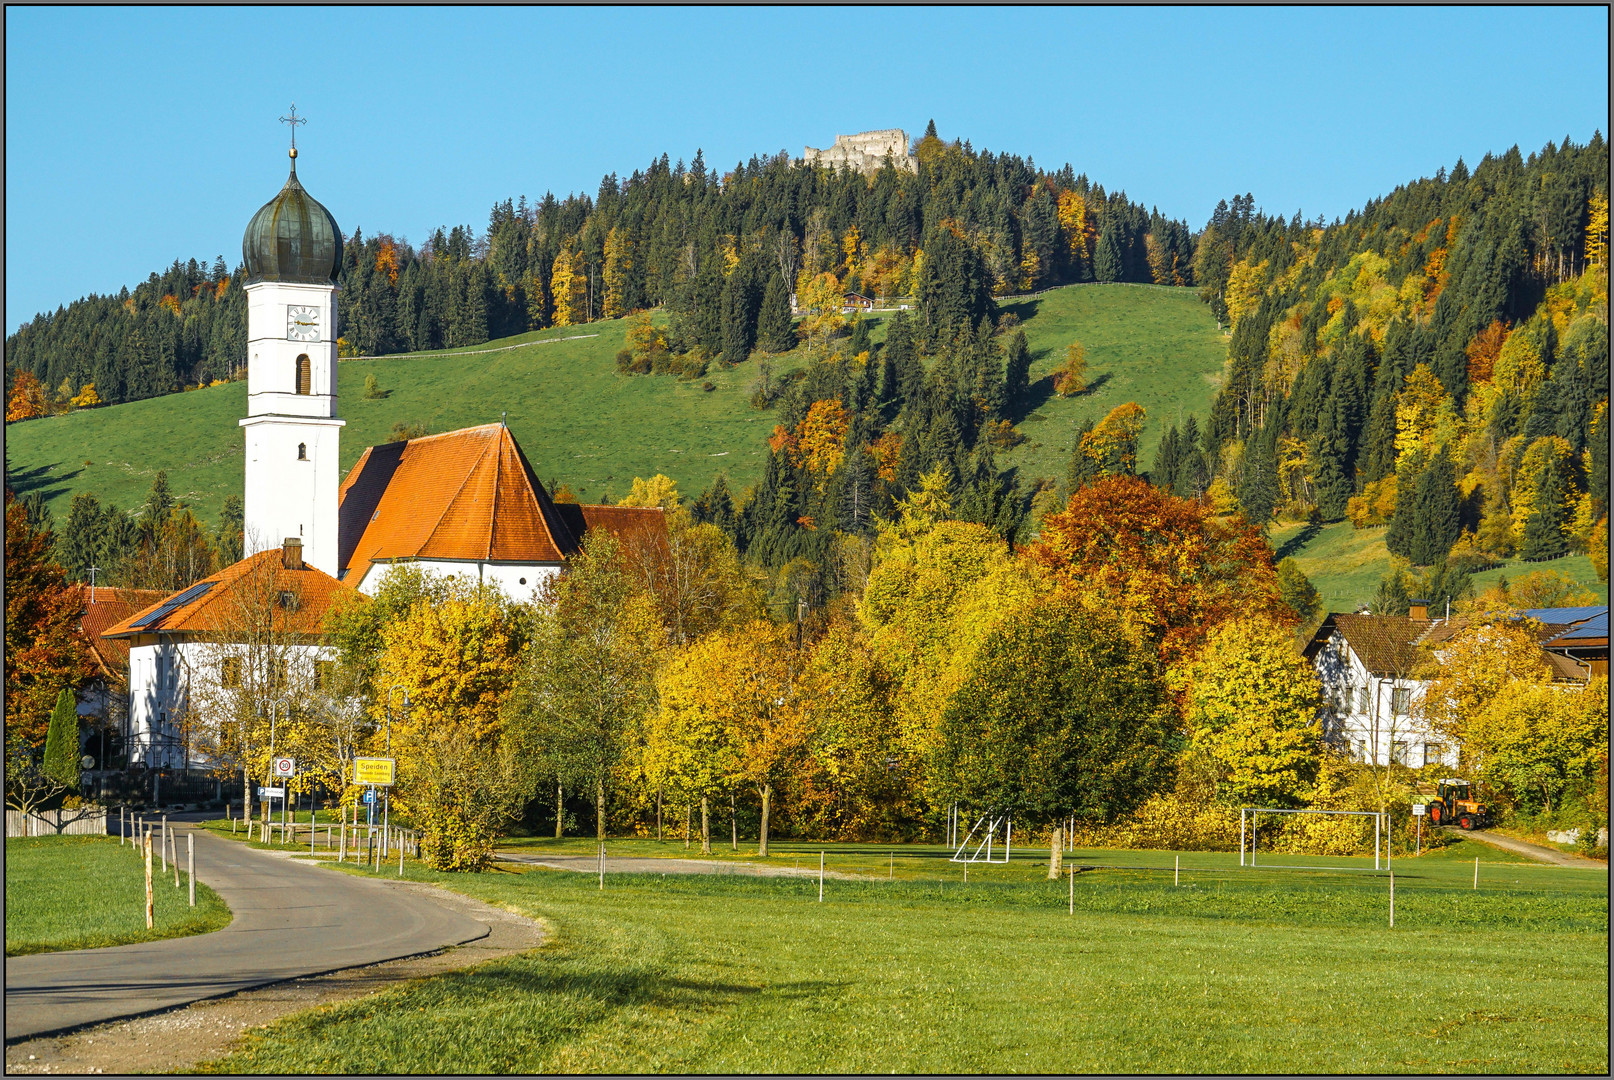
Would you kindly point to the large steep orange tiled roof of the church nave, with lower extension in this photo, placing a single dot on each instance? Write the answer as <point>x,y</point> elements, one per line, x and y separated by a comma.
<point>467,496</point>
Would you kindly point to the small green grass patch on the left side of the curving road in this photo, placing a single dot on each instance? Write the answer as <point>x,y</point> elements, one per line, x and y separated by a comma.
<point>88,894</point>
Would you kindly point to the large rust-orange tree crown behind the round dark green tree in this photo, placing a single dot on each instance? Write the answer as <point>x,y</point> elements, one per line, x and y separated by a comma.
<point>1166,563</point>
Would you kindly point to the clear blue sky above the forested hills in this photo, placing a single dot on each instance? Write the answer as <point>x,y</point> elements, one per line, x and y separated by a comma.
<point>136,136</point>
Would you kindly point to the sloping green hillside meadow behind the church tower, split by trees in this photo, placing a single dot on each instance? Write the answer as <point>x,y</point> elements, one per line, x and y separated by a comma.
<point>583,424</point>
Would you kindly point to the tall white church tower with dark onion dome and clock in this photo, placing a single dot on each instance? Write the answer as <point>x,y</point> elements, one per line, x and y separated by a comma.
<point>293,251</point>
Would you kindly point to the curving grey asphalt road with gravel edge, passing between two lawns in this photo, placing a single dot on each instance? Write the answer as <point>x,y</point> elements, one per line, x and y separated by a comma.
<point>291,921</point>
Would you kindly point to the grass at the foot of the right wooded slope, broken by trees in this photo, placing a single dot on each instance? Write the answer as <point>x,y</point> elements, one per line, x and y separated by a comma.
<point>1347,564</point>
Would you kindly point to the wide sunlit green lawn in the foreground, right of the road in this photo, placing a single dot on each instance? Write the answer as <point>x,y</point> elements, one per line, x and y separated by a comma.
<point>1232,971</point>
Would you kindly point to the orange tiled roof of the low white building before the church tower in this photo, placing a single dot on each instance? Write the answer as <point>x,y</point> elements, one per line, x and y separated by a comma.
<point>220,606</point>
